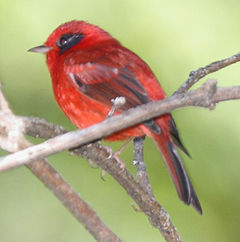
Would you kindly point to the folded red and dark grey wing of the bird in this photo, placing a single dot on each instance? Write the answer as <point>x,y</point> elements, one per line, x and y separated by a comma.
<point>104,82</point>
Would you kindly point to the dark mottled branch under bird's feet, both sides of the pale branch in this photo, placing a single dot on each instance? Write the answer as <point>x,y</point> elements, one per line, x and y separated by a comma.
<point>100,155</point>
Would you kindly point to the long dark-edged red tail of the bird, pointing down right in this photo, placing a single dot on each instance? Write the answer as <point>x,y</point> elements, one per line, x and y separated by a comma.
<point>178,174</point>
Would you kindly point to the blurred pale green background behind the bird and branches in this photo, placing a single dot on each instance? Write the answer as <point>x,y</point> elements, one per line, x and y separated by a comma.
<point>173,37</point>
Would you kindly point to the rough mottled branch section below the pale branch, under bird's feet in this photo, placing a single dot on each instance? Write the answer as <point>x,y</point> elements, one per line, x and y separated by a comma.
<point>158,217</point>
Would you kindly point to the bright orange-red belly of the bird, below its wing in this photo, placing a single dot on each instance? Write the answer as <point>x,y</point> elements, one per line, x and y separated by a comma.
<point>84,112</point>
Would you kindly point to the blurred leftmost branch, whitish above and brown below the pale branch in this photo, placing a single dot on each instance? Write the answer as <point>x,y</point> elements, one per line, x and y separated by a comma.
<point>12,139</point>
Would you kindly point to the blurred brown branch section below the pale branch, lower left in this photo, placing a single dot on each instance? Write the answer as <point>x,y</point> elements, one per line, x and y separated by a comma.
<point>72,201</point>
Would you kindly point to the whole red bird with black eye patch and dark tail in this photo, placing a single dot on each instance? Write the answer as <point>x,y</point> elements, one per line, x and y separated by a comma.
<point>89,68</point>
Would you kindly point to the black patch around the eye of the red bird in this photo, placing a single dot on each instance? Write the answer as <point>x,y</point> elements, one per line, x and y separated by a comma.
<point>66,41</point>
